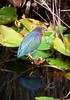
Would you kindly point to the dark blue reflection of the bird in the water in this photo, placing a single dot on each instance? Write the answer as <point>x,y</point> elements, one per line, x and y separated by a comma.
<point>31,83</point>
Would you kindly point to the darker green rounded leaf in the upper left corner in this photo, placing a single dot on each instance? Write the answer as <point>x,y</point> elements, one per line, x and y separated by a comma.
<point>7,15</point>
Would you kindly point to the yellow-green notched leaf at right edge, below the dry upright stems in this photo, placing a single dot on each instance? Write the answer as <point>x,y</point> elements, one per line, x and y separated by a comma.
<point>62,46</point>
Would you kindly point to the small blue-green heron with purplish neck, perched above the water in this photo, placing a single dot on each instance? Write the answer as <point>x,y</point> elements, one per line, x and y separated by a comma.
<point>31,42</point>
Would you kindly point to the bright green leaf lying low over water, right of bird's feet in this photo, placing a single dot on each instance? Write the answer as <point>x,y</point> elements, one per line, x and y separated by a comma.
<point>58,63</point>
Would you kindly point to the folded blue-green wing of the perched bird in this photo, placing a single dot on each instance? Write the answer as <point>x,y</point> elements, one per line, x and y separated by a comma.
<point>29,44</point>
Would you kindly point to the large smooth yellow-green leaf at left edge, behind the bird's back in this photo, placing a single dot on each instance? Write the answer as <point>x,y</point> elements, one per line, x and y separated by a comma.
<point>9,37</point>
